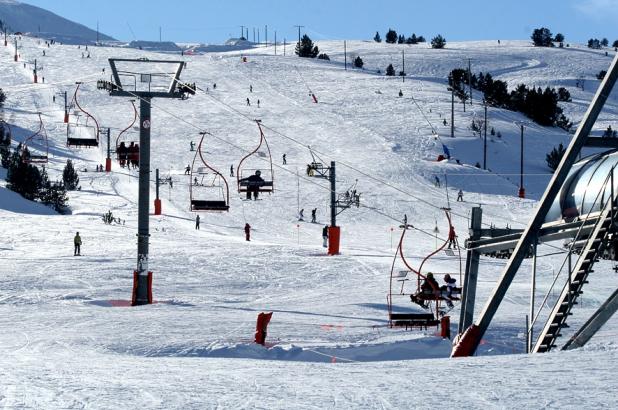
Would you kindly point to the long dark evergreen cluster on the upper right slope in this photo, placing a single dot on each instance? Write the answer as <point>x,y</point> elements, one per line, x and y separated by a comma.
<point>537,104</point>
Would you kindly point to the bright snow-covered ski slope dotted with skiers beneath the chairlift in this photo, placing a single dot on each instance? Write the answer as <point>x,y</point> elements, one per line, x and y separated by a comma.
<point>67,342</point>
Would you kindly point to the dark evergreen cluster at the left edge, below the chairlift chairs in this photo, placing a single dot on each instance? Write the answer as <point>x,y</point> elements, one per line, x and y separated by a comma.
<point>33,183</point>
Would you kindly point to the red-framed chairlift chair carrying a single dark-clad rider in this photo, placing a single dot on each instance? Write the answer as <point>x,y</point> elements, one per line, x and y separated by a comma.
<point>244,175</point>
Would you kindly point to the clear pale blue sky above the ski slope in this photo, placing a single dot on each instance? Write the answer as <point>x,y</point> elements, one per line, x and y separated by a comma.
<point>210,21</point>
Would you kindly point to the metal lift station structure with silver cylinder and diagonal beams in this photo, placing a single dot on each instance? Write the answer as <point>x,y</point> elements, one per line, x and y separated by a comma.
<point>580,204</point>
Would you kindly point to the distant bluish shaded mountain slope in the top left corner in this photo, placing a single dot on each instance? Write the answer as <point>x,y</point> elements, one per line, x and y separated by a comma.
<point>21,17</point>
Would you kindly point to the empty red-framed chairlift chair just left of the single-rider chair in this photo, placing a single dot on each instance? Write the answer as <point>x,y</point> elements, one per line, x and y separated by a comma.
<point>208,194</point>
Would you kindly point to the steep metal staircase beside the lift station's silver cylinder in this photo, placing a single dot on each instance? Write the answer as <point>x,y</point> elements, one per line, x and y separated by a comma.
<point>590,253</point>
